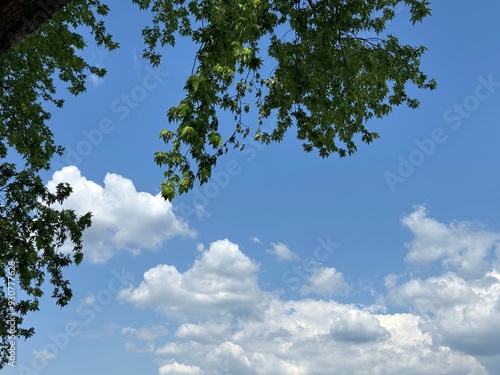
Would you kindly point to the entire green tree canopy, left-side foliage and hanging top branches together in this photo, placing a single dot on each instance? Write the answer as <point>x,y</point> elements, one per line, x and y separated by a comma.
<point>323,68</point>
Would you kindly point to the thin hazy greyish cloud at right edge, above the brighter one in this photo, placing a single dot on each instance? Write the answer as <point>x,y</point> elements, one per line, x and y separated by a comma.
<point>459,246</point>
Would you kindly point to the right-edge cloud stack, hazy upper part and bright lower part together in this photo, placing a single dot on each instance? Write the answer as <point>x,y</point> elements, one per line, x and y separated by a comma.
<point>459,307</point>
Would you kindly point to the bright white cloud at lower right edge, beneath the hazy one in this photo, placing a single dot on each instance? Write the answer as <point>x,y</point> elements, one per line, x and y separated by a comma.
<point>464,315</point>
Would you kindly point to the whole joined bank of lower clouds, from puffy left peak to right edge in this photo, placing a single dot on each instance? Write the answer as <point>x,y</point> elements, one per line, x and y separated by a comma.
<point>227,324</point>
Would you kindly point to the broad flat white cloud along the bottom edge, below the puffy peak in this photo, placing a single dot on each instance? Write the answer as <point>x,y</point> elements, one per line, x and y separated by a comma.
<point>295,337</point>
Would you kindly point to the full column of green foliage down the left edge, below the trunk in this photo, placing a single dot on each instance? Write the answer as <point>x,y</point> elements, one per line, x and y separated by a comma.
<point>32,231</point>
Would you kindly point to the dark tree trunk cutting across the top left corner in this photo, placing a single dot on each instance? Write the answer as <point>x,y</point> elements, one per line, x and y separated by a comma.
<point>20,18</point>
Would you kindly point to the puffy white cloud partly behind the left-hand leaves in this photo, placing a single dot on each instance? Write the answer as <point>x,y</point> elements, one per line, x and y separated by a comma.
<point>122,218</point>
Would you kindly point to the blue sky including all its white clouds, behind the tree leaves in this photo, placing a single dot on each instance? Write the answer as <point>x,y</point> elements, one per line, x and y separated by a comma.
<point>387,262</point>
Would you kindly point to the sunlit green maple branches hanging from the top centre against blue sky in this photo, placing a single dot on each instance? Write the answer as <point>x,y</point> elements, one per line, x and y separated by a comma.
<point>328,79</point>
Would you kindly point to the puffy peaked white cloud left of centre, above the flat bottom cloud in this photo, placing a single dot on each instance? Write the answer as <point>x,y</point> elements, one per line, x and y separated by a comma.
<point>222,281</point>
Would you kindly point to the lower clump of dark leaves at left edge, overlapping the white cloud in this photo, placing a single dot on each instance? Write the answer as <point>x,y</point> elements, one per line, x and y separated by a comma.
<point>32,234</point>
